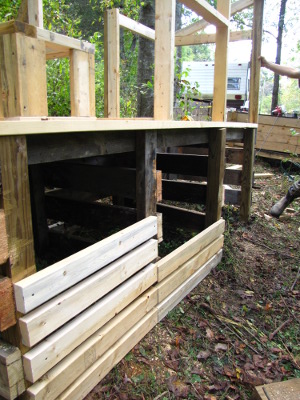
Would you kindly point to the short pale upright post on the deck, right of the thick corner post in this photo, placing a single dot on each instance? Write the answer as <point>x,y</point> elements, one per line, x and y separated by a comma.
<point>81,81</point>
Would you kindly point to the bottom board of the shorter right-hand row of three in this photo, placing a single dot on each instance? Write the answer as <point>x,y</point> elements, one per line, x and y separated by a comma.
<point>174,298</point>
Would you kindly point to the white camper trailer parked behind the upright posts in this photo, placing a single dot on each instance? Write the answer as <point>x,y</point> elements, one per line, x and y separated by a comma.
<point>203,74</point>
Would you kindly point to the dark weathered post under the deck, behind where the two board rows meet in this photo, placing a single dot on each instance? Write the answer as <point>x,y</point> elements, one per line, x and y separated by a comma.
<point>146,144</point>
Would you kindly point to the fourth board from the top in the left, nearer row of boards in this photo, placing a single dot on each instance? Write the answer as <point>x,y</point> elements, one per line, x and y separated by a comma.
<point>60,377</point>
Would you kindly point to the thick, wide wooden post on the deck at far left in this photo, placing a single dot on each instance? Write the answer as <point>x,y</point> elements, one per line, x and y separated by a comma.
<point>23,82</point>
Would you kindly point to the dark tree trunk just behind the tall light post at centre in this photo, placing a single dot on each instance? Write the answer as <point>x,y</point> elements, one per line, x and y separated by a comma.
<point>146,63</point>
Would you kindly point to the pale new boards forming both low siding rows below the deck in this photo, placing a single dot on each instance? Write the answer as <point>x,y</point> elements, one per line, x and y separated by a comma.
<point>83,314</point>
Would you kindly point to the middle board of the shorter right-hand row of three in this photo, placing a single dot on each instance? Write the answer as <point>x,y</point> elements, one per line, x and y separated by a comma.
<point>178,277</point>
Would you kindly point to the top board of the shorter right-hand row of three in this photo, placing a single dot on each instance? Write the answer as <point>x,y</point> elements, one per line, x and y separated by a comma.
<point>174,260</point>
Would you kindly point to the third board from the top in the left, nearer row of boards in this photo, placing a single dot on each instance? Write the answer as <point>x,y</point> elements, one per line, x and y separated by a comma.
<point>49,352</point>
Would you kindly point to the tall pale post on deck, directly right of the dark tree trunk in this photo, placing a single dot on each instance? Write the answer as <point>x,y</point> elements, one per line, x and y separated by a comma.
<point>164,59</point>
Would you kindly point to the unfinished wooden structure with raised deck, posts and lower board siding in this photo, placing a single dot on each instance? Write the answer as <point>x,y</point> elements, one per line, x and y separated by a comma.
<point>79,316</point>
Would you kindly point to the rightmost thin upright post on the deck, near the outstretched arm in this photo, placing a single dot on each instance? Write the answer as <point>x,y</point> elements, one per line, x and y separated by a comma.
<point>255,64</point>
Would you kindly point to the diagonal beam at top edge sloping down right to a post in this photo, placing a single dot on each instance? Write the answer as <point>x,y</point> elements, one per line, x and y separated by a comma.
<point>206,11</point>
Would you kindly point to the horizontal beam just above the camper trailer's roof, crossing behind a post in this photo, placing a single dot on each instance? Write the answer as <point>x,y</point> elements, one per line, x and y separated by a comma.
<point>211,38</point>
